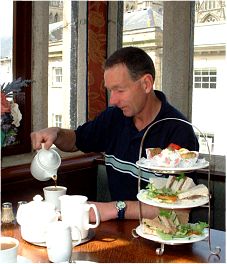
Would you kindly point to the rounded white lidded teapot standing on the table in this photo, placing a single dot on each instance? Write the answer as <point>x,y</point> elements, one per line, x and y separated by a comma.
<point>34,218</point>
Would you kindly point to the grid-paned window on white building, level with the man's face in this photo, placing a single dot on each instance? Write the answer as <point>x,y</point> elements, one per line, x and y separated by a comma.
<point>205,78</point>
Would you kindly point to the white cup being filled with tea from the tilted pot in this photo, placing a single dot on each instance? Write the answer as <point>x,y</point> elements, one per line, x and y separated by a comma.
<point>52,194</point>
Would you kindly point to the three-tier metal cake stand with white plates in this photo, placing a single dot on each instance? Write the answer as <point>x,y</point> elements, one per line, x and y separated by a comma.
<point>205,201</point>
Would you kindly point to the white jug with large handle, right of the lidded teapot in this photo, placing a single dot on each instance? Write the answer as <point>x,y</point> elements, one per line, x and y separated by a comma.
<point>75,213</point>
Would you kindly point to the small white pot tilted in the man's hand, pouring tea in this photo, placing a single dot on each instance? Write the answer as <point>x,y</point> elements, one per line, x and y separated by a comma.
<point>45,164</point>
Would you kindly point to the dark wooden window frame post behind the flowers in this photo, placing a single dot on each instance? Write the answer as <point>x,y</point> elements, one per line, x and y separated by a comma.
<point>21,67</point>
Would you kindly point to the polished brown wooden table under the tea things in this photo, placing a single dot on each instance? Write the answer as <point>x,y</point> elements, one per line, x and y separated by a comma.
<point>113,242</point>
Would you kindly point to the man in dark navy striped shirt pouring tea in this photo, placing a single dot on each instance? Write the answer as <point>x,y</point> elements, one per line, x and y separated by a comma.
<point>129,77</point>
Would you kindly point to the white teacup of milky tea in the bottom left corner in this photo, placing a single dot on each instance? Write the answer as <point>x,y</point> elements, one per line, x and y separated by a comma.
<point>8,250</point>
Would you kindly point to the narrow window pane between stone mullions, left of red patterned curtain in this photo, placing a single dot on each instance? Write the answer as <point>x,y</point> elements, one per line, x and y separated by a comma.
<point>59,73</point>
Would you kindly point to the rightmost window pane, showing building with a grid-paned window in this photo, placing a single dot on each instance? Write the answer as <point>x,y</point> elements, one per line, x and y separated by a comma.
<point>210,65</point>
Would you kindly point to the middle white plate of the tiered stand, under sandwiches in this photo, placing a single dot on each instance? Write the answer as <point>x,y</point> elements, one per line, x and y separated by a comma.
<point>185,203</point>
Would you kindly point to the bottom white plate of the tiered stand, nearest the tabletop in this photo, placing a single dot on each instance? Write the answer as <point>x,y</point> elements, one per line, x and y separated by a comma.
<point>176,241</point>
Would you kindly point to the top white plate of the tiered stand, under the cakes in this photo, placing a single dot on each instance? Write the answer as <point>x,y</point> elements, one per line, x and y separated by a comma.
<point>144,163</point>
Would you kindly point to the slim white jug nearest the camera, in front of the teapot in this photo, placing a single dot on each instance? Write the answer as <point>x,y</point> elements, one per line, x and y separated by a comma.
<point>59,242</point>
